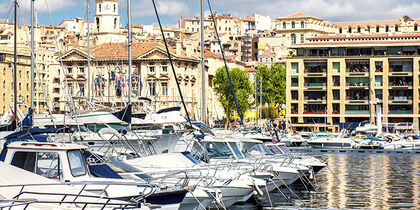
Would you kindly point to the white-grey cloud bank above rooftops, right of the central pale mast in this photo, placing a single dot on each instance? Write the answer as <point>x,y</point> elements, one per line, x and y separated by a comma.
<point>331,10</point>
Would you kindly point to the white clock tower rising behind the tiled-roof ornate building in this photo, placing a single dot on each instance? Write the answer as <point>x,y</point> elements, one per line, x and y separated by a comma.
<point>107,22</point>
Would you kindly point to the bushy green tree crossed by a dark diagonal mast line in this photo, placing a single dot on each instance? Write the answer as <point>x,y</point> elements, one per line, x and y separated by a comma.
<point>241,85</point>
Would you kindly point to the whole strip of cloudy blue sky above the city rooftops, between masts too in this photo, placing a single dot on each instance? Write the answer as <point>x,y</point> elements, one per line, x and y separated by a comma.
<point>54,11</point>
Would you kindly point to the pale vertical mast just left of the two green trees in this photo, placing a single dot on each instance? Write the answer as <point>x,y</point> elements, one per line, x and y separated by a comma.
<point>203,76</point>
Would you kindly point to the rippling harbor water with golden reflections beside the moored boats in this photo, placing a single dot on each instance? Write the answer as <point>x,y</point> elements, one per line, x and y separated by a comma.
<point>371,181</point>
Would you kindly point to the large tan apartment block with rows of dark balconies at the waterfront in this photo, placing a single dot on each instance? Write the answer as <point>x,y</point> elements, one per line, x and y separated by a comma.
<point>334,78</point>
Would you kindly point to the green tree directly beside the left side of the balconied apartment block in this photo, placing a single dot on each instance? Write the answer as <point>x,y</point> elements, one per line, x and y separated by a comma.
<point>274,81</point>
